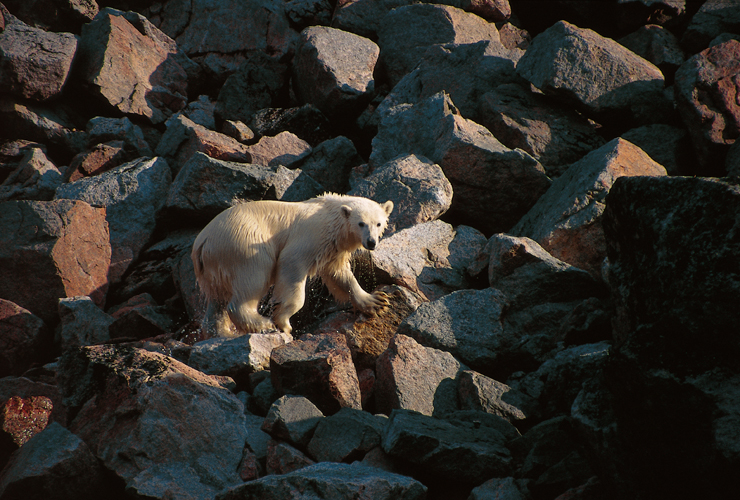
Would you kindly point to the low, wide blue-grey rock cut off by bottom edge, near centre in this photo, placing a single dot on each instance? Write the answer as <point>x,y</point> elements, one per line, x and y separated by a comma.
<point>329,481</point>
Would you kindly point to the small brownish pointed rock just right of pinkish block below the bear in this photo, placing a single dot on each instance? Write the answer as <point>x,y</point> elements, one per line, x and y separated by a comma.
<point>481,393</point>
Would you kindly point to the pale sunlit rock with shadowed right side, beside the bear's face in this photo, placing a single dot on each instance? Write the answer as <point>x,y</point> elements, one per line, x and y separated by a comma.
<point>430,259</point>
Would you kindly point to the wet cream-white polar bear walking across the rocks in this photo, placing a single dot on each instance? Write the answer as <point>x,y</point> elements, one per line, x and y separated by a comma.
<point>253,245</point>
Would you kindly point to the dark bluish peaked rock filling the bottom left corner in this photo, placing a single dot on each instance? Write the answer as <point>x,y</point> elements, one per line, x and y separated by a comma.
<point>53,464</point>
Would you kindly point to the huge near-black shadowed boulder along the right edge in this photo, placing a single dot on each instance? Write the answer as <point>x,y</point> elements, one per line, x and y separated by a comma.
<point>673,251</point>
